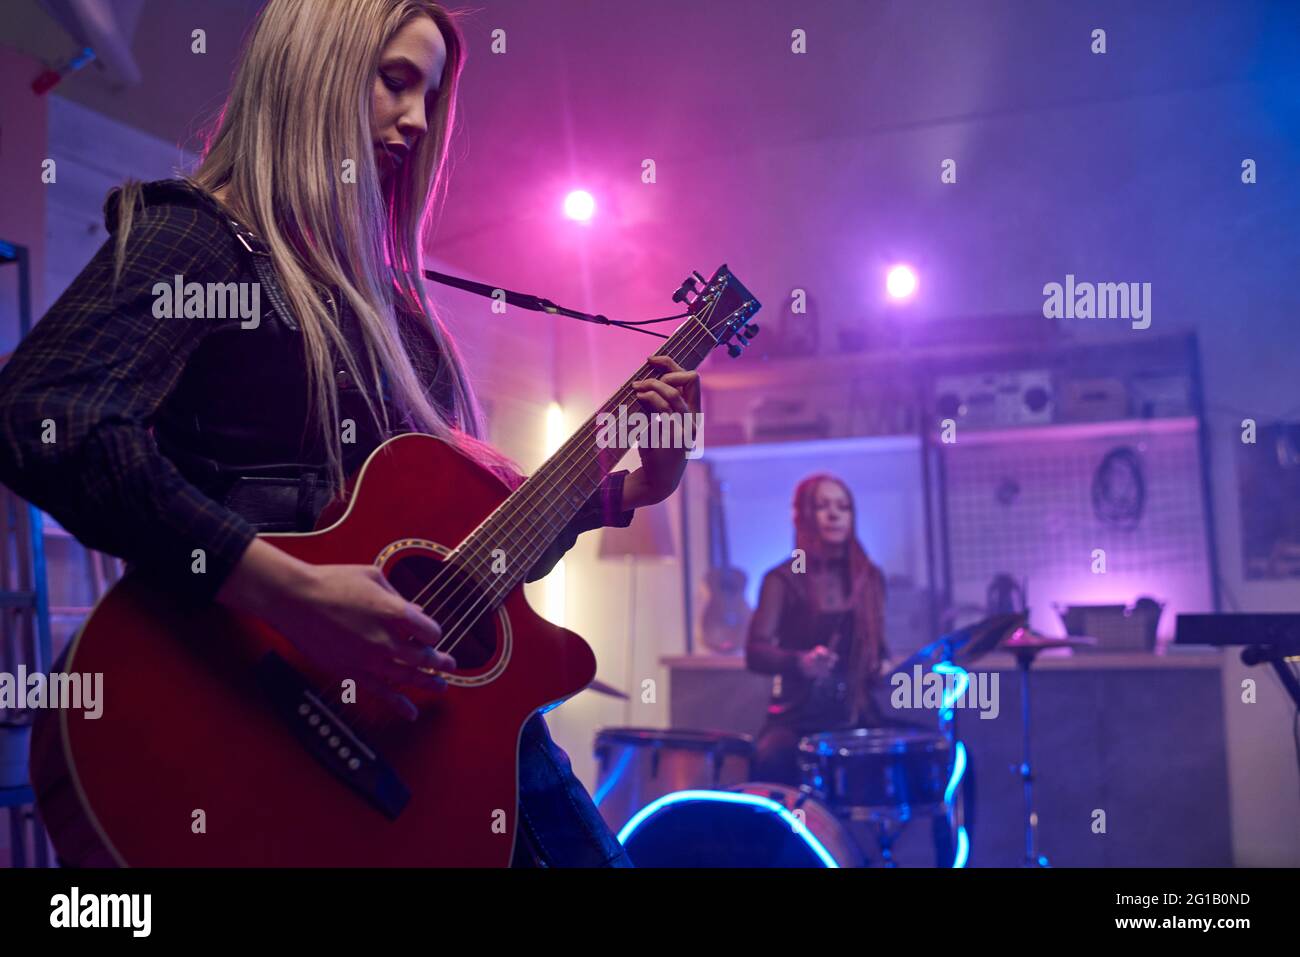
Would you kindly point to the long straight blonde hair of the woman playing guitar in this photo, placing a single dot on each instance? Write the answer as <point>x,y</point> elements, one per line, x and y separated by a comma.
<point>298,111</point>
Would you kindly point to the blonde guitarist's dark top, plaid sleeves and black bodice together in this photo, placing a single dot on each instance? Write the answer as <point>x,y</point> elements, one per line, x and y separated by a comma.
<point>140,434</point>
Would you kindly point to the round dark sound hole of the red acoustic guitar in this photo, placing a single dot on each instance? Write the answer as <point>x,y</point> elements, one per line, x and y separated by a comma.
<point>454,601</point>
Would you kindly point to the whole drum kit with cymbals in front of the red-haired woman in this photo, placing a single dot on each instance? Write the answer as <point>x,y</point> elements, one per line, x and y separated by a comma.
<point>683,799</point>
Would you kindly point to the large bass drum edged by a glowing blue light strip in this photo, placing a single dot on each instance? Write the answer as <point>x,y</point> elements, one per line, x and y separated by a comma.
<point>755,825</point>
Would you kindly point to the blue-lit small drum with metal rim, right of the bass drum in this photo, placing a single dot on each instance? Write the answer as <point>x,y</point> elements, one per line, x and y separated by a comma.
<point>878,773</point>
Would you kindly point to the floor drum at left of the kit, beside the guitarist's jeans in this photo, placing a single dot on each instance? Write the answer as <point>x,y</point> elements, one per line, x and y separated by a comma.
<point>640,765</point>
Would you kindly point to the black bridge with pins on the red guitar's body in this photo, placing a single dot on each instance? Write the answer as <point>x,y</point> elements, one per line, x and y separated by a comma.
<point>330,741</point>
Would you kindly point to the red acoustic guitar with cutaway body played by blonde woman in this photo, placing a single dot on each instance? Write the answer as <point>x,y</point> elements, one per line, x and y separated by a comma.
<point>214,717</point>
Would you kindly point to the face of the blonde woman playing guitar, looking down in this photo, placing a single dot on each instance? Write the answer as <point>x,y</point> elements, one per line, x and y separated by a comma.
<point>404,93</point>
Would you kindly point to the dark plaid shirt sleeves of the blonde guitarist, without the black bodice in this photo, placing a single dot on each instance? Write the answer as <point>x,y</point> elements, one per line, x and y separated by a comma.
<point>80,396</point>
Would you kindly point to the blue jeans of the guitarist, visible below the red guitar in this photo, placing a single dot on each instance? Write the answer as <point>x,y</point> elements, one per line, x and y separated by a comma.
<point>558,824</point>
